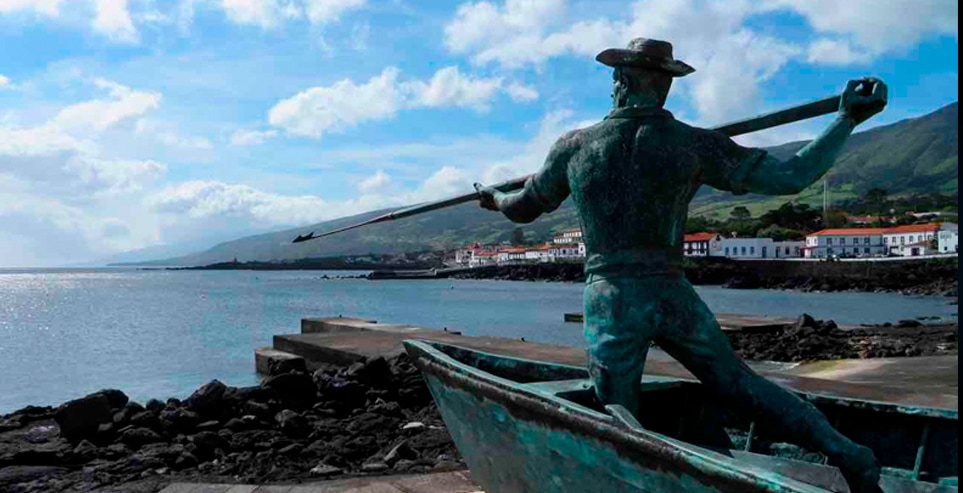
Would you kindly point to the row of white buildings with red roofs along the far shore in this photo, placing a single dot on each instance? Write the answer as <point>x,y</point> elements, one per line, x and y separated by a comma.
<point>924,240</point>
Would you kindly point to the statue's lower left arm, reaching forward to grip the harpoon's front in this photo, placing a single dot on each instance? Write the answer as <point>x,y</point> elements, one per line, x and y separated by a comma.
<point>544,191</point>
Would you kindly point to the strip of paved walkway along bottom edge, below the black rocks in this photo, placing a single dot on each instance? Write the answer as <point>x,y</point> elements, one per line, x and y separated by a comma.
<point>452,482</point>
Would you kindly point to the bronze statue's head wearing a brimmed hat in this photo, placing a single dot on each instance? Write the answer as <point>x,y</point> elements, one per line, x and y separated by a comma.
<point>645,69</point>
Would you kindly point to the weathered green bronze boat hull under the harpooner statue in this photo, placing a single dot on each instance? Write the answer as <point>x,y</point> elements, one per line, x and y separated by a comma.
<point>518,438</point>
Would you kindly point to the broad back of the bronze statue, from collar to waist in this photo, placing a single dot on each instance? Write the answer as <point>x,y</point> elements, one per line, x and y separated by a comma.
<point>631,181</point>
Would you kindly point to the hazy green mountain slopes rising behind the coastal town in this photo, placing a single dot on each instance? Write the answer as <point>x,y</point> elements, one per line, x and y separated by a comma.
<point>918,155</point>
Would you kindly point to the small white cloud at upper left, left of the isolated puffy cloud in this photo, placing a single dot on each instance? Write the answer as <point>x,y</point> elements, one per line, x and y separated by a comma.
<point>100,114</point>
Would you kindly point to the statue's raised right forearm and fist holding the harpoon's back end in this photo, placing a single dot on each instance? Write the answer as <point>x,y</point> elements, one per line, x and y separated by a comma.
<point>772,176</point>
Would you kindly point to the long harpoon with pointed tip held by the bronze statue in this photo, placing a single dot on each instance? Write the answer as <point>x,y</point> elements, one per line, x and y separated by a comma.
<point>768,120</point>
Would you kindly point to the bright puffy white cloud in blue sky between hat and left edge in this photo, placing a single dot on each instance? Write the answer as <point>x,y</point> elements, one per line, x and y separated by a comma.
<point>342,105</point>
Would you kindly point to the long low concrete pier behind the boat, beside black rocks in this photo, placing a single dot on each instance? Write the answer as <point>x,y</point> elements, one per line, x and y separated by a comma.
<point>921,381</point>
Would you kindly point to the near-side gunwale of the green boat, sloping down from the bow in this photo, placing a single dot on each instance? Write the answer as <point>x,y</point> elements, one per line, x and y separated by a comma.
<point>722,472</point>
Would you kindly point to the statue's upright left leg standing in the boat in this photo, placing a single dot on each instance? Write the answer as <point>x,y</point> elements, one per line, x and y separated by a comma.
<point>619,319</point>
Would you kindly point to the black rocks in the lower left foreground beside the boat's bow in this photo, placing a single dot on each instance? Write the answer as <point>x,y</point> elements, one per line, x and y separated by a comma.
<point>372,418</point>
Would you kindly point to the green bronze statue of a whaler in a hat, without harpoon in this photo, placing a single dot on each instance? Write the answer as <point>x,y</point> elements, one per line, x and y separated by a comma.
<point>631,178</point>
